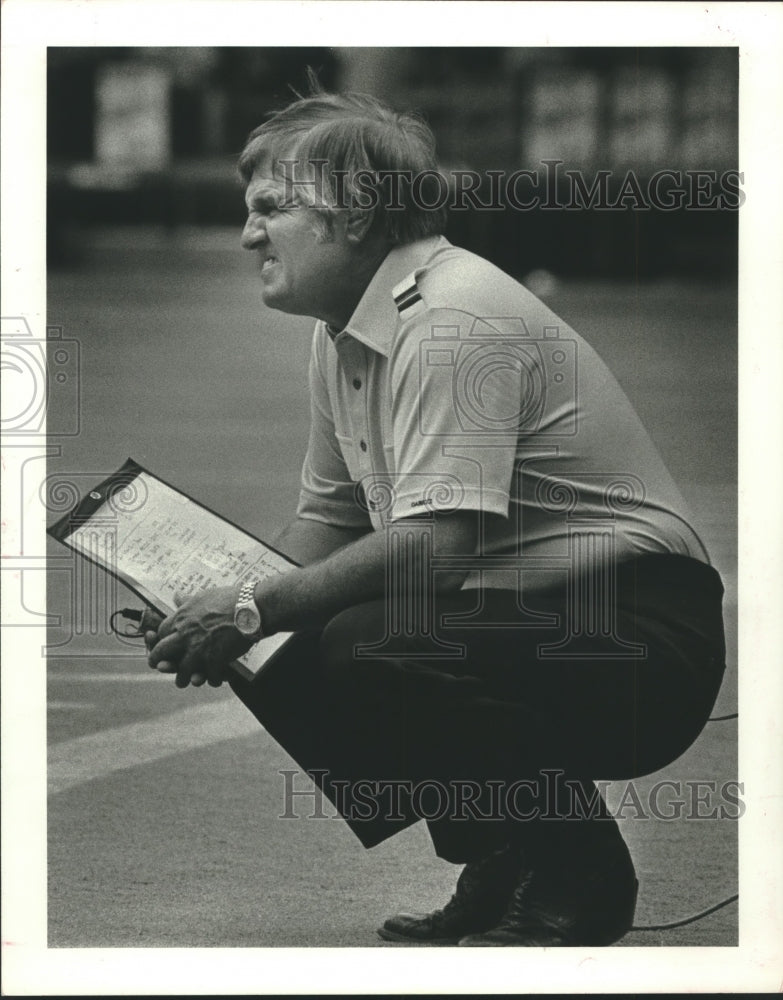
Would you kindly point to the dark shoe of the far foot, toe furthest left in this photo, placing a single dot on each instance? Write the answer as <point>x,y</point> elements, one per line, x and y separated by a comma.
<point>482,896</point>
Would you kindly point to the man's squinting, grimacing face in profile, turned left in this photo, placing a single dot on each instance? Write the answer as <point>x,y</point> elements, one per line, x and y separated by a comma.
<point>301,272</point>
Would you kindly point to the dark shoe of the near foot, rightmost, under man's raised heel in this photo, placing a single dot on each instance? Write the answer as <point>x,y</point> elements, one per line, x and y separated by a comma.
<point>589,905</point>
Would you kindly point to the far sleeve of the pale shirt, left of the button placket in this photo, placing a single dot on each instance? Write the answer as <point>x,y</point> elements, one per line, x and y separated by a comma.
<point>327,493</point>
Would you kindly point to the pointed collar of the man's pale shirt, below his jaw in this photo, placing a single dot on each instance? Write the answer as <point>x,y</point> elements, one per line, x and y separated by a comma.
<point>375,318</point>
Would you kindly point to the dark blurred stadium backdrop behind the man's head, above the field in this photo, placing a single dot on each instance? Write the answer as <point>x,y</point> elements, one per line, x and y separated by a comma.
<point>151,135</point>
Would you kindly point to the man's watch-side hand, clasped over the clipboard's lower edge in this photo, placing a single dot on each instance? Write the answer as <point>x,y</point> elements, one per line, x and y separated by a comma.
<point>199,640</point>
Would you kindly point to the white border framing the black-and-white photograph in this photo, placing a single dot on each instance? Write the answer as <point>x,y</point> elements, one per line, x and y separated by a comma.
<point>756,28</point>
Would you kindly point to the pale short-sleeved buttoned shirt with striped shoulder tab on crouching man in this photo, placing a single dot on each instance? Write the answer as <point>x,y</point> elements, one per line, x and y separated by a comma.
<point>453,387</point>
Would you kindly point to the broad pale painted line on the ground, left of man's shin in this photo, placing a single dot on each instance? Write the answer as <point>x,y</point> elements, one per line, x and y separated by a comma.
<point>96,755</point>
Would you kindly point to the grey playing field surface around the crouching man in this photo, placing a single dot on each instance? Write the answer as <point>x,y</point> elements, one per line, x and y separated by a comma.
<point>164,805</point>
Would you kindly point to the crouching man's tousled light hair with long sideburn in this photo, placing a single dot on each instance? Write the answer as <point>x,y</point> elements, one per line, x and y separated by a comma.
<point>353,142</point>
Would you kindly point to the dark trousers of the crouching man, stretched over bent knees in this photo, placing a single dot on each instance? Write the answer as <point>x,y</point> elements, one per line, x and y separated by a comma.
<point>495,737</point>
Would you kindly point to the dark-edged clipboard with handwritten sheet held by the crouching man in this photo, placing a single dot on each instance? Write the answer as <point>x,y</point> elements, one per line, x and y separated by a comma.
<point>159,541</point>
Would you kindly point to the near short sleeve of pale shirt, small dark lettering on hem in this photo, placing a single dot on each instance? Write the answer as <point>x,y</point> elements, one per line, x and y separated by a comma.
<point>456,389</point>
